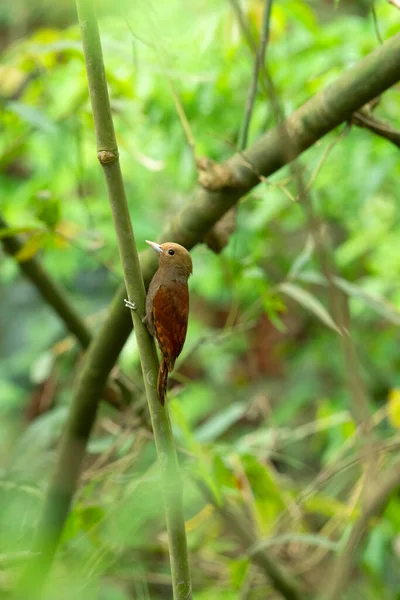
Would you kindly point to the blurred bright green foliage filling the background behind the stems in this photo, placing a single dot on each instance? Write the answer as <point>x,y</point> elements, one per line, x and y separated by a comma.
<point>260,404</point>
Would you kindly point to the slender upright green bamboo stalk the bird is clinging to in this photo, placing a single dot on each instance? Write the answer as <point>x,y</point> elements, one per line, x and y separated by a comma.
<point>107,153</point>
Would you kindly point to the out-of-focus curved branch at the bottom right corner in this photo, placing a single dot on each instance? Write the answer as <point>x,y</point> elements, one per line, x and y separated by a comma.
<point>389,482</point>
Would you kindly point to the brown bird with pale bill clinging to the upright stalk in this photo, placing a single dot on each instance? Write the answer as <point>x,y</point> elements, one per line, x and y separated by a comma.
<point>167,306</point>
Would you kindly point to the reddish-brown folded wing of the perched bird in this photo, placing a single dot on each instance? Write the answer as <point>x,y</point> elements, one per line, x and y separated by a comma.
<point>170,316</point>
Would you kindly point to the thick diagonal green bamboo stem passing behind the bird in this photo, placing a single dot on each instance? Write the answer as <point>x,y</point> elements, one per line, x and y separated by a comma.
<point>333,105</point>
